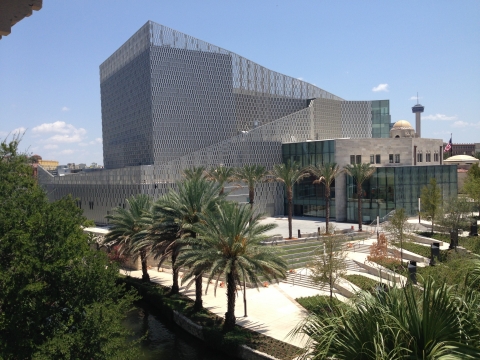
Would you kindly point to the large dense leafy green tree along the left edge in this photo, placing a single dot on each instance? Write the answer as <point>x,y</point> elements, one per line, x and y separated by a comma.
<point>59,298</point>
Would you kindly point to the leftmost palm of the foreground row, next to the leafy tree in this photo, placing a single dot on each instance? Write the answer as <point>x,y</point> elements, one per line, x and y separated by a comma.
<point>128,226</point>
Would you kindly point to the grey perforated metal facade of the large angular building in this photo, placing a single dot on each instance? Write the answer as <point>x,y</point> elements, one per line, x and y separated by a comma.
<point>170,102</point>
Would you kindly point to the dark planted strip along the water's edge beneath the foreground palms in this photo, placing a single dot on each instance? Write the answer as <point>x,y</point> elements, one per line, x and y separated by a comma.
<point>158,298</point>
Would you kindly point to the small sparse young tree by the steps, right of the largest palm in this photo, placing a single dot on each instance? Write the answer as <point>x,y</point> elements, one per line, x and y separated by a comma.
<point>328,265</point>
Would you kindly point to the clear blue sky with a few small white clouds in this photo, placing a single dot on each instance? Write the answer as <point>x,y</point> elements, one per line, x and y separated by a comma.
<point>49,64</point>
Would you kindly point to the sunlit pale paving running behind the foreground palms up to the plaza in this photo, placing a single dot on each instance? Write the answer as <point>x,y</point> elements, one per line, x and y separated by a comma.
<point>272,311</point>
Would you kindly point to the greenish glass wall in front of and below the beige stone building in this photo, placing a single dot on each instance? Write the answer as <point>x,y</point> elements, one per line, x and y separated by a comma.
<point>397,187</point>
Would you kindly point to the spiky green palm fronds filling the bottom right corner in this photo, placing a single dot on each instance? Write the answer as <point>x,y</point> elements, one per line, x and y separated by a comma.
<point>439,323</point>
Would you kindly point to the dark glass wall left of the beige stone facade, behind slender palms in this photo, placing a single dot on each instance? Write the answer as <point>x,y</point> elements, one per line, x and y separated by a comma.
<point>309,198</point>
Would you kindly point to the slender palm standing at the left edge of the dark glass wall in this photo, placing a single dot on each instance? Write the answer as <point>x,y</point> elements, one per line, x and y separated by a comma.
<point>289,173</point>
